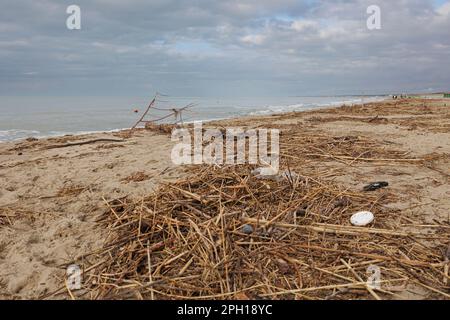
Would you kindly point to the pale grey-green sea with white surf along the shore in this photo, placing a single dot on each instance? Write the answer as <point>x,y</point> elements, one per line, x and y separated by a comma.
<point>24,117</point>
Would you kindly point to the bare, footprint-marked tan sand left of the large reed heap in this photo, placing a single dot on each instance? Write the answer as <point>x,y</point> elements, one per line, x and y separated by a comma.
<point>55,195</point>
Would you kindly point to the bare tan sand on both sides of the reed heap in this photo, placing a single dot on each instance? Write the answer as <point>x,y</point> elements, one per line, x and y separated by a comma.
<point>50,199</point>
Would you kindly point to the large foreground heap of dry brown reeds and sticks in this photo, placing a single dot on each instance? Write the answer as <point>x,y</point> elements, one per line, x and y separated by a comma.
<point>179,228</point>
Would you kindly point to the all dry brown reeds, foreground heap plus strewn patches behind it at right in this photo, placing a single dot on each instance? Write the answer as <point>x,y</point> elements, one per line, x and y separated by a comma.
<point>223,233</point>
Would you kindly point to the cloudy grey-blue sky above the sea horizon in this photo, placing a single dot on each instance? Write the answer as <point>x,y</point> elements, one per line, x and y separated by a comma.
<point>223,48</point>
